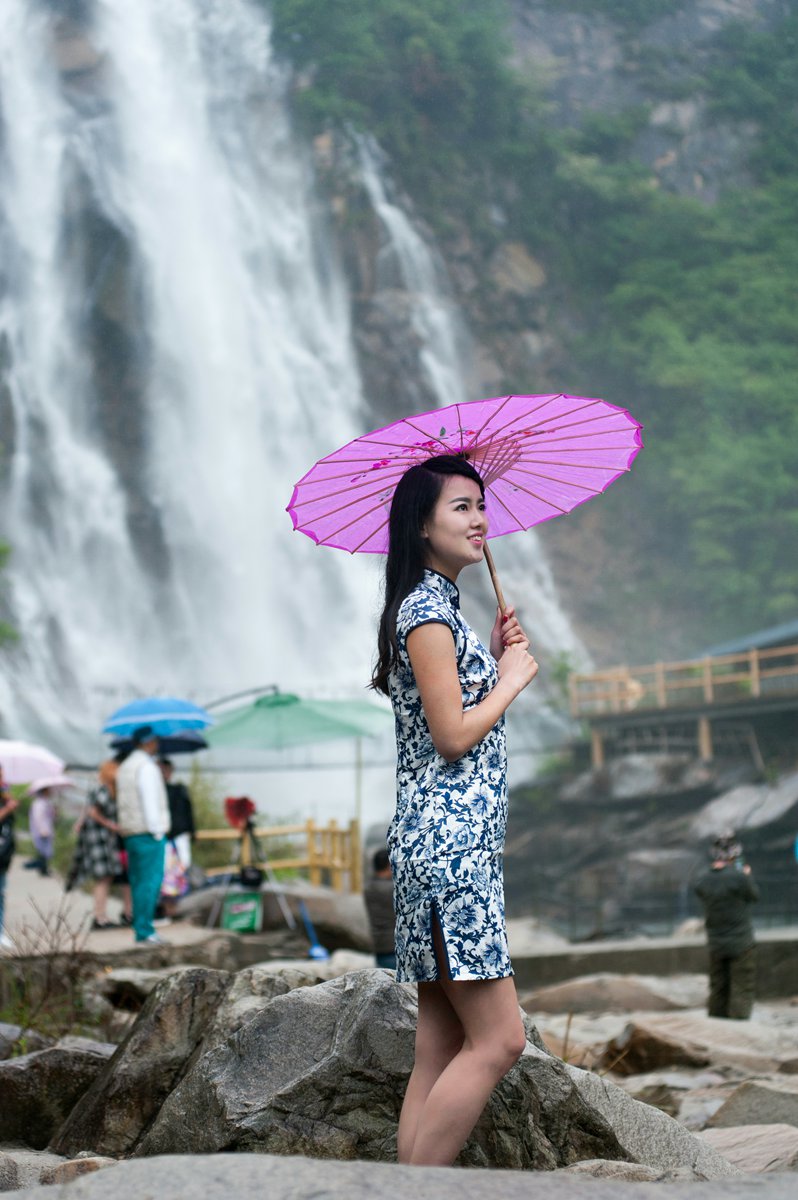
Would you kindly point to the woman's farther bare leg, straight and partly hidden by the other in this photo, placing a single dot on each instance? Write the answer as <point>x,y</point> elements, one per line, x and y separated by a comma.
<point>439,1039</point>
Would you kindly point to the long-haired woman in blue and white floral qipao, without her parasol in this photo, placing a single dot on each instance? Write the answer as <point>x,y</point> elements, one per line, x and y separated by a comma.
<point>449,695</point>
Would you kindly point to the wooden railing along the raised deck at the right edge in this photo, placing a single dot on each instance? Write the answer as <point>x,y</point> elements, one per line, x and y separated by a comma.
<point>713,681</point>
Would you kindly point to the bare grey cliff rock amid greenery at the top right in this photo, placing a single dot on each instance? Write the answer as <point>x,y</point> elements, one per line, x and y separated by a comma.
<point>593,64</point>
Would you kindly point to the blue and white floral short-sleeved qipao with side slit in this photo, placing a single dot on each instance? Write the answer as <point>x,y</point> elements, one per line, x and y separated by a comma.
<point>448,835</point>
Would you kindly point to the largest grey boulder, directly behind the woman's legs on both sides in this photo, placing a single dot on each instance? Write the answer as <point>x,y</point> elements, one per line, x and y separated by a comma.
<point>322,1071</point>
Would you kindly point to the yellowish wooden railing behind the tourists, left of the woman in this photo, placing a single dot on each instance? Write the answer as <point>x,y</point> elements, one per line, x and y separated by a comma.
<point>328,854</point>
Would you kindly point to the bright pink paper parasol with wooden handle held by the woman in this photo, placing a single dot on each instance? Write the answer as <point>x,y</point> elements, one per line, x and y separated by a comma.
<point>539,457</point>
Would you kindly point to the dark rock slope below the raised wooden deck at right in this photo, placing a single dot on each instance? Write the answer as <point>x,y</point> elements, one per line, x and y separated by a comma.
<point>617,851</point>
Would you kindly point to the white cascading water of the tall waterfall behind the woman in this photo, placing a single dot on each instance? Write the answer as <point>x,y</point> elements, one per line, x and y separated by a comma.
<point>145,483</point>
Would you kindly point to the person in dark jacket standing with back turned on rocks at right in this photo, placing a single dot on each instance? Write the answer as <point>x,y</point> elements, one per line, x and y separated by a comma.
<point>728,892</point>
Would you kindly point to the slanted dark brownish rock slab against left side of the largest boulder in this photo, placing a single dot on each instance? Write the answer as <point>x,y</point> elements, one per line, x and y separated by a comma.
<point>127,1096</point>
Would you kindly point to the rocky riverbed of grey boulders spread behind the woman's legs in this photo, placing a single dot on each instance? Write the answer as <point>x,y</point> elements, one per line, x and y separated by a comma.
<point>623,1079</point>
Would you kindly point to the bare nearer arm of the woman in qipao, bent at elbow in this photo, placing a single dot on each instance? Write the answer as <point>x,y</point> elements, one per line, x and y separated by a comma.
<point>455,730</point>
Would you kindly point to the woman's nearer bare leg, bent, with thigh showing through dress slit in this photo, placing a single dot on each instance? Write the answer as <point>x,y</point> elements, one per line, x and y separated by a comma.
<point>488,1011</point>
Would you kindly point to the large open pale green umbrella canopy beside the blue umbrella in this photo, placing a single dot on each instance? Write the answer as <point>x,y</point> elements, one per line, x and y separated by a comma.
<point>281,721</point>
